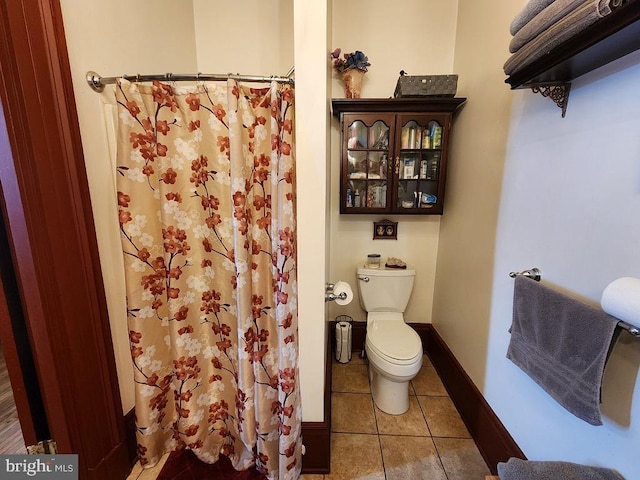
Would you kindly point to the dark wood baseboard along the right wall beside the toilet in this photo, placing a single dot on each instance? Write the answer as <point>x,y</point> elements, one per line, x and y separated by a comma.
<point>492,438</point>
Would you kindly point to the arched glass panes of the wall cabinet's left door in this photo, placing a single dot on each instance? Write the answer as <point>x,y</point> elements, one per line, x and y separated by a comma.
<point>367,153</point>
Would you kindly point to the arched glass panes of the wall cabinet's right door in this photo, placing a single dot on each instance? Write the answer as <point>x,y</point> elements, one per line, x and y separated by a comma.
<point>419,163</point>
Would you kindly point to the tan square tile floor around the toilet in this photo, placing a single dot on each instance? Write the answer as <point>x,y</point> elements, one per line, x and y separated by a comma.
<point>430,441</point>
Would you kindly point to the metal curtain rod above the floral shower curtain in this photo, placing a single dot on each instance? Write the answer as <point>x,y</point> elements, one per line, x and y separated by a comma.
<point>97,82</point>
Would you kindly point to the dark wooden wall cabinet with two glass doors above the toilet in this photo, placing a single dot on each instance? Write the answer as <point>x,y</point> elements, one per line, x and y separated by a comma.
<point>394,153</point>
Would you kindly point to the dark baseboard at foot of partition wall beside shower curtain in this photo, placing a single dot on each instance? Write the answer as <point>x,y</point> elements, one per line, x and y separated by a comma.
<point>316,436</point>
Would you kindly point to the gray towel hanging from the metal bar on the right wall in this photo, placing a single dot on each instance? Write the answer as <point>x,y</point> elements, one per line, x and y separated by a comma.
<point>562,344</point>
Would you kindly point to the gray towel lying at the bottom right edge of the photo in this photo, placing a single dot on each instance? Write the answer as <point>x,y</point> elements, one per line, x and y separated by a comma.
<point>517,469</point>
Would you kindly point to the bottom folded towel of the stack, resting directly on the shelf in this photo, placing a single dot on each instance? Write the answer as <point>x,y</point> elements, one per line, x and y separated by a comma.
<point>575,22</point>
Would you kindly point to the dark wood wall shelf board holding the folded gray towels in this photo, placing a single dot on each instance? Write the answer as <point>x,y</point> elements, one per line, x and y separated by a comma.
<point>610,38</point>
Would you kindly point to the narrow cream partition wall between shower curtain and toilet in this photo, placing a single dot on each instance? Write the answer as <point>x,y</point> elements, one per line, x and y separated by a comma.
<point>310,27</point>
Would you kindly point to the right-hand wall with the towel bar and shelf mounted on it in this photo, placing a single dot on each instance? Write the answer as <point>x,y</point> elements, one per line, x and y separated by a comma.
<point>531,189</point>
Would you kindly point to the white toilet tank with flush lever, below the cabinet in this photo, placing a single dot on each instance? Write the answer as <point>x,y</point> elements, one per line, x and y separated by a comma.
<point>387,289</point>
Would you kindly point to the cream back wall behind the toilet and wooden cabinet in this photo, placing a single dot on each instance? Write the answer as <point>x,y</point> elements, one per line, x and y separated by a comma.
<point>416,36</point>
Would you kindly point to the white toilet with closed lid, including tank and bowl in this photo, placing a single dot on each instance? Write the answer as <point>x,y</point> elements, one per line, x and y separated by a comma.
<point>394,349</point>
